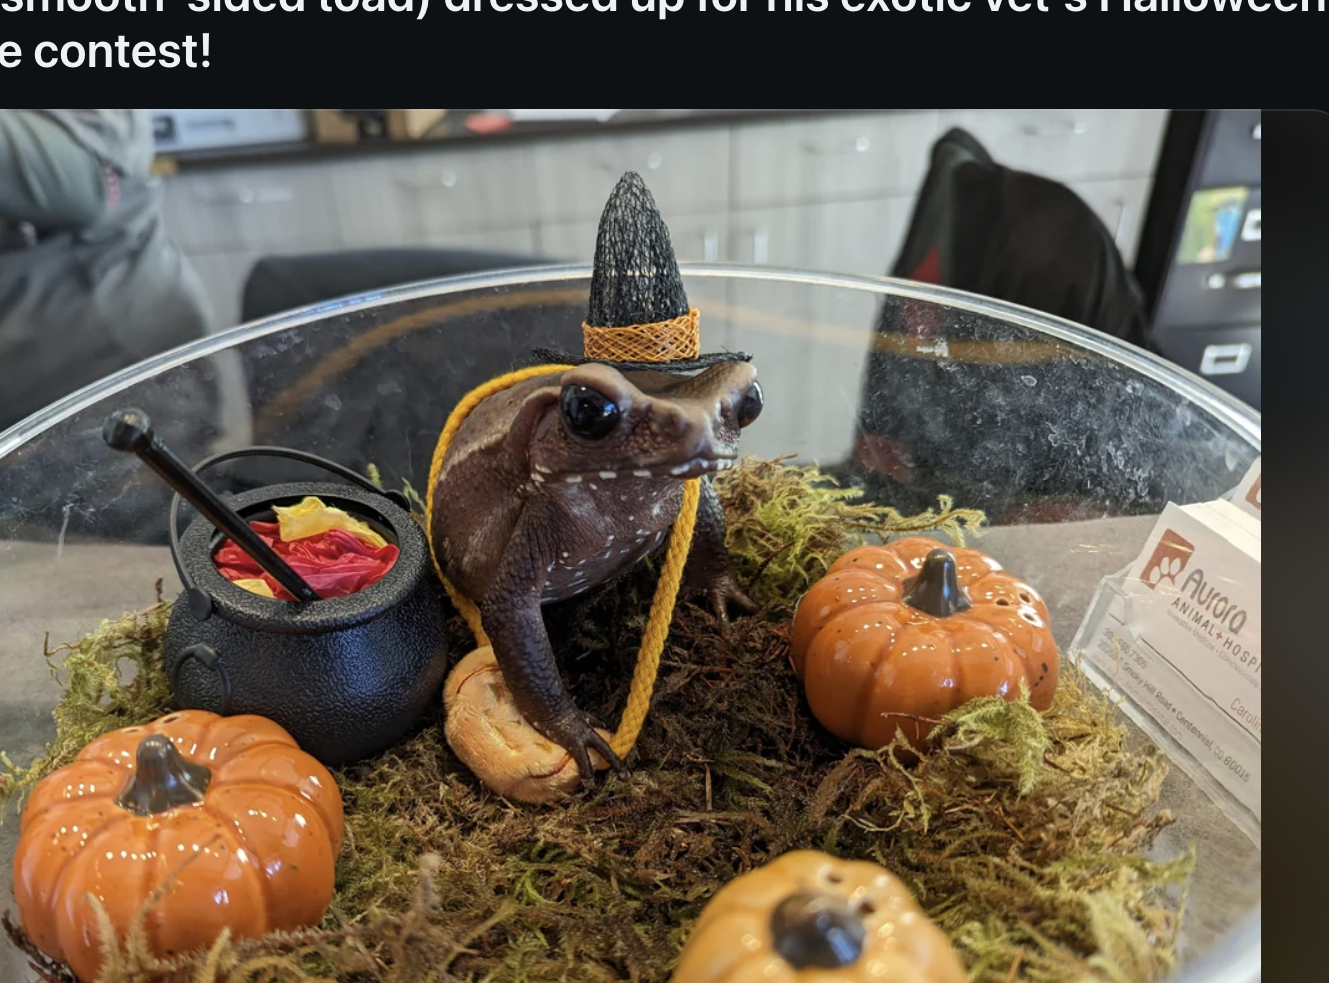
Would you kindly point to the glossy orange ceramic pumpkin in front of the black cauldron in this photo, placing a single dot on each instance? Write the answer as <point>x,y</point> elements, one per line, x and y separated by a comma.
<point>243,824</point>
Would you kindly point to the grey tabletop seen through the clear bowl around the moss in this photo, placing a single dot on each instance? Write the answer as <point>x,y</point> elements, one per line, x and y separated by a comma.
<point>68,592</point>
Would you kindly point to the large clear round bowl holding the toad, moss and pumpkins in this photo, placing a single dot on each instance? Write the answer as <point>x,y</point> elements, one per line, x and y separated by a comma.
<point>1072,442</point>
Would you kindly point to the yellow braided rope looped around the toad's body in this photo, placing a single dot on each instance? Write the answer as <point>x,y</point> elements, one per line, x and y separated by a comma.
<point>666,592</point>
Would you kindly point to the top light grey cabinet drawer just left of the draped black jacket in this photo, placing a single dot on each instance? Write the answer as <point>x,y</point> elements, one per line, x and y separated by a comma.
<point>834,157</point>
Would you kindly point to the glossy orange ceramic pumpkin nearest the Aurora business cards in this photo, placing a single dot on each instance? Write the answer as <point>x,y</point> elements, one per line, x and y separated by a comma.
<point>914,629</point>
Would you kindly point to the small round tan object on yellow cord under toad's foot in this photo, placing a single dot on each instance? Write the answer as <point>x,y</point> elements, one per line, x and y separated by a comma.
<point>492,738</point>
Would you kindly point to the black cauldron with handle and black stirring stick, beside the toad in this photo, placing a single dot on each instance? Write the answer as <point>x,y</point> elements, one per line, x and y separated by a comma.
<point>346,677</point>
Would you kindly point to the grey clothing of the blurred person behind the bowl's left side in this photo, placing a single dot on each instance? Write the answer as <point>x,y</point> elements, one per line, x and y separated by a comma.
<point>90,285</point>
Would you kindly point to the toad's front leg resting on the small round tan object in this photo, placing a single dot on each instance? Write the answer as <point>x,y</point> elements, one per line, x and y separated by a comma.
<point>516,628</point>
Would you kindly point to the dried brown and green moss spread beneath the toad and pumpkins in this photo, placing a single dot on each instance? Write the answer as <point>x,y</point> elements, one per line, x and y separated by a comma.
<point>1021,834</point>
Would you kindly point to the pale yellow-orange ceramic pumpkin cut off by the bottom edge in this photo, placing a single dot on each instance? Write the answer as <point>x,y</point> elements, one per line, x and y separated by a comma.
<point>811,919</point>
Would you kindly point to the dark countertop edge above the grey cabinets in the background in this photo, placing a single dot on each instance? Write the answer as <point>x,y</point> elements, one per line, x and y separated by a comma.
<point>453,132</point>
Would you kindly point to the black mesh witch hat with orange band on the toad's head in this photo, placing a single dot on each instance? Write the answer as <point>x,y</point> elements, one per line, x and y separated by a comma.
<point>639,315</point>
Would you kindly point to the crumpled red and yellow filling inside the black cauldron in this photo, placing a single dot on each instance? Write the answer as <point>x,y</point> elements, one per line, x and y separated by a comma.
<point>334,563</point>
